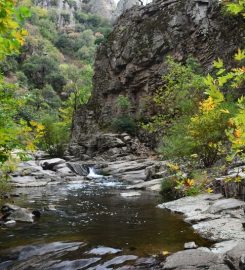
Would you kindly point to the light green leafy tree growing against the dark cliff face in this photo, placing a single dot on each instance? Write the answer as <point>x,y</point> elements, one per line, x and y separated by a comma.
<point>183,88</point>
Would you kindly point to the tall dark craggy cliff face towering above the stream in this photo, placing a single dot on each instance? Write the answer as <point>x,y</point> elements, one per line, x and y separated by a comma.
<point>133,60</point>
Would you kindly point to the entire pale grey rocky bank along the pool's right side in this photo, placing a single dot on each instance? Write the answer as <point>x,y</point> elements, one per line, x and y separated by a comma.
<point>215,218</point>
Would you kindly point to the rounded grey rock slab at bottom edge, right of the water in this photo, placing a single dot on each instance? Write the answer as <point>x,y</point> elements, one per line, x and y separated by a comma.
<point>195,259</point>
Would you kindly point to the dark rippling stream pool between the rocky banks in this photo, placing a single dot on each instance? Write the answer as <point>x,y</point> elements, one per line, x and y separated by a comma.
<point>78,217</point>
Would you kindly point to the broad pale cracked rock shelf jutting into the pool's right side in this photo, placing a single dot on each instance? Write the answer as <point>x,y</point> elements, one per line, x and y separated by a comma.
<point>214,218</point>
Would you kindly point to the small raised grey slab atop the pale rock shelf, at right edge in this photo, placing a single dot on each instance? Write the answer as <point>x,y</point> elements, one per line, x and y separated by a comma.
<point>225,204</point>
